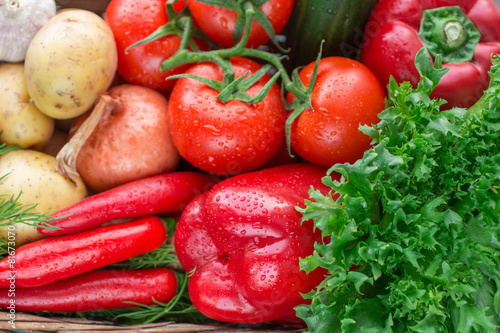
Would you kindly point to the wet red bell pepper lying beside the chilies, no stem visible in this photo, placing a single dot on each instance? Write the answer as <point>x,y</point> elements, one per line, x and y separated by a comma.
<point>242,241</point>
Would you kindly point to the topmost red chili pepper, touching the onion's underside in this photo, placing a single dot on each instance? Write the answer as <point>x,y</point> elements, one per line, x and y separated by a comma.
<point>164,193</point>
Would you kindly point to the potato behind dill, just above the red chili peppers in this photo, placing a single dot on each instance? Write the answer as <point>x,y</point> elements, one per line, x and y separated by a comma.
<point>33,174</point>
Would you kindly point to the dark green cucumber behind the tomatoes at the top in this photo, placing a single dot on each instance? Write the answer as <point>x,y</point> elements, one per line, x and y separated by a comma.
<point>339,22</point>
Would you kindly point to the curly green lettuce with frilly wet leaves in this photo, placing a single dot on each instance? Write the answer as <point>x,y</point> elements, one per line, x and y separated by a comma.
<point>415,234</point>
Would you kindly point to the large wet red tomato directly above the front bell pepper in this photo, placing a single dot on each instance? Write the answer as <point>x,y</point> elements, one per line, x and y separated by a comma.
<point>225,138</point>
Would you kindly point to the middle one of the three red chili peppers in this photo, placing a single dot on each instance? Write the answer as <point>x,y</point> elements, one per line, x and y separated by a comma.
<point>56,258</point>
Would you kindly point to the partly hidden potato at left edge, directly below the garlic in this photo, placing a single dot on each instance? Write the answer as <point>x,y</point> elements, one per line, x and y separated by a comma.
<point>21,123</point>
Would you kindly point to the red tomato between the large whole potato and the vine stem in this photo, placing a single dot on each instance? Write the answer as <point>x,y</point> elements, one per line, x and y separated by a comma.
<point>133,20</point>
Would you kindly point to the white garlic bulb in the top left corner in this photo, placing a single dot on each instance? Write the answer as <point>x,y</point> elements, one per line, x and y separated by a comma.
<point>19,21</point>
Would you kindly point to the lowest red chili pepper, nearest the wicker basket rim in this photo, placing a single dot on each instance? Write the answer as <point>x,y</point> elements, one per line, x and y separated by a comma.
<point>95,290</point>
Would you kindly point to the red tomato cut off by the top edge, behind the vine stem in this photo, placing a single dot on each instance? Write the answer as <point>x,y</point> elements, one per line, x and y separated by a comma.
<point>218,23</point>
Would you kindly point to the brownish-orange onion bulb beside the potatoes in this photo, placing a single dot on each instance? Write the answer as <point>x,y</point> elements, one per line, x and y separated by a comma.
<point>132,143</point>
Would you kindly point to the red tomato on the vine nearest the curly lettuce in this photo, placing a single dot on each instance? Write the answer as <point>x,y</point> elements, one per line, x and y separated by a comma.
<point>346,94</point>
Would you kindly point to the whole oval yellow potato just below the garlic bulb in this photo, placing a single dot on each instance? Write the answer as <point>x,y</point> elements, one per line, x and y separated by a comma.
<point>71,60</point>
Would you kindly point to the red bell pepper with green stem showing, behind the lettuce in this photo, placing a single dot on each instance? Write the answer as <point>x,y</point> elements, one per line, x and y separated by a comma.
<point>464,32</point>
